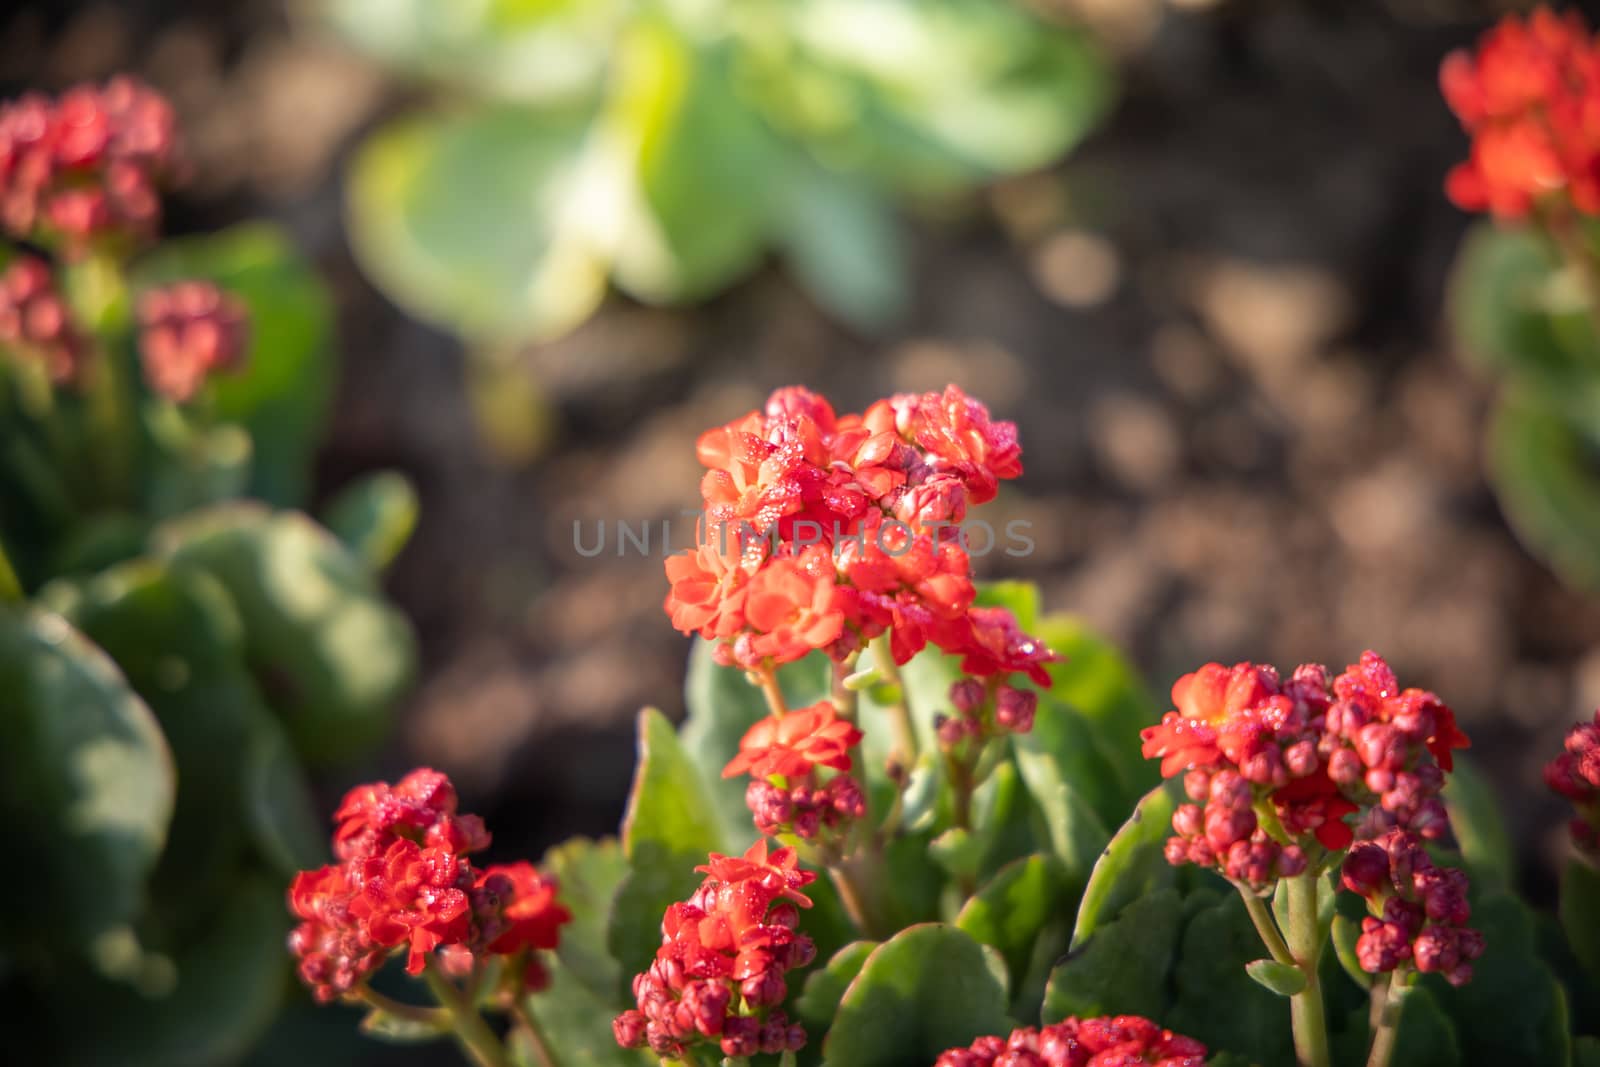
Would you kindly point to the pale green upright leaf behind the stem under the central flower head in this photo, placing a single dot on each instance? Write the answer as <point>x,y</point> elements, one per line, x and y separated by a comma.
<point>722,706</point>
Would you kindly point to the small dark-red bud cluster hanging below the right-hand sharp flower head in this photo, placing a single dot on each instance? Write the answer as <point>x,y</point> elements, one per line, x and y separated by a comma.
<point>1418,911</point>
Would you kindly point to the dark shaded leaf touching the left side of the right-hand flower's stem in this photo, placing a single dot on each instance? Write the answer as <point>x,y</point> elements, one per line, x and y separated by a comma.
<point>1217,1002</point>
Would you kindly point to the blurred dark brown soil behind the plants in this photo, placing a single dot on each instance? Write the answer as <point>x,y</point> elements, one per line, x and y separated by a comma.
<point>1218,327</point>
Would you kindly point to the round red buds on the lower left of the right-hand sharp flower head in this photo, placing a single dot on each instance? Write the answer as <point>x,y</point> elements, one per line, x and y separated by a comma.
<point>1222,829</point>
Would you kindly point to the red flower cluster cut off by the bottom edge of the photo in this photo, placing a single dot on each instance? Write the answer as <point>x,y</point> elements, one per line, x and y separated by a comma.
<point>1108,1042</point>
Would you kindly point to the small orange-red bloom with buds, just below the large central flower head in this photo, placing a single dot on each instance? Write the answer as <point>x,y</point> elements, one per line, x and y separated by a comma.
<point>783,757</point>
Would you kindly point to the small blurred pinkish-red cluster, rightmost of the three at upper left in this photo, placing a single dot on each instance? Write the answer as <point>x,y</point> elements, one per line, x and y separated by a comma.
<point>186,334</point>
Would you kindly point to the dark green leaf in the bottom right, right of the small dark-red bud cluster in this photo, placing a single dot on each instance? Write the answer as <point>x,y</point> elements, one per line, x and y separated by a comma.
<point>1513,1007</point>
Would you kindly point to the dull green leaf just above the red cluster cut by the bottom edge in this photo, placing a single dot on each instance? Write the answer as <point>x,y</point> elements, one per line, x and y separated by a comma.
<point>1122,967</point>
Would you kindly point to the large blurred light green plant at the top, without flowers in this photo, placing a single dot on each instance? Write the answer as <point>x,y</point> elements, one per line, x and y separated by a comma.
<point>583,151</point>
